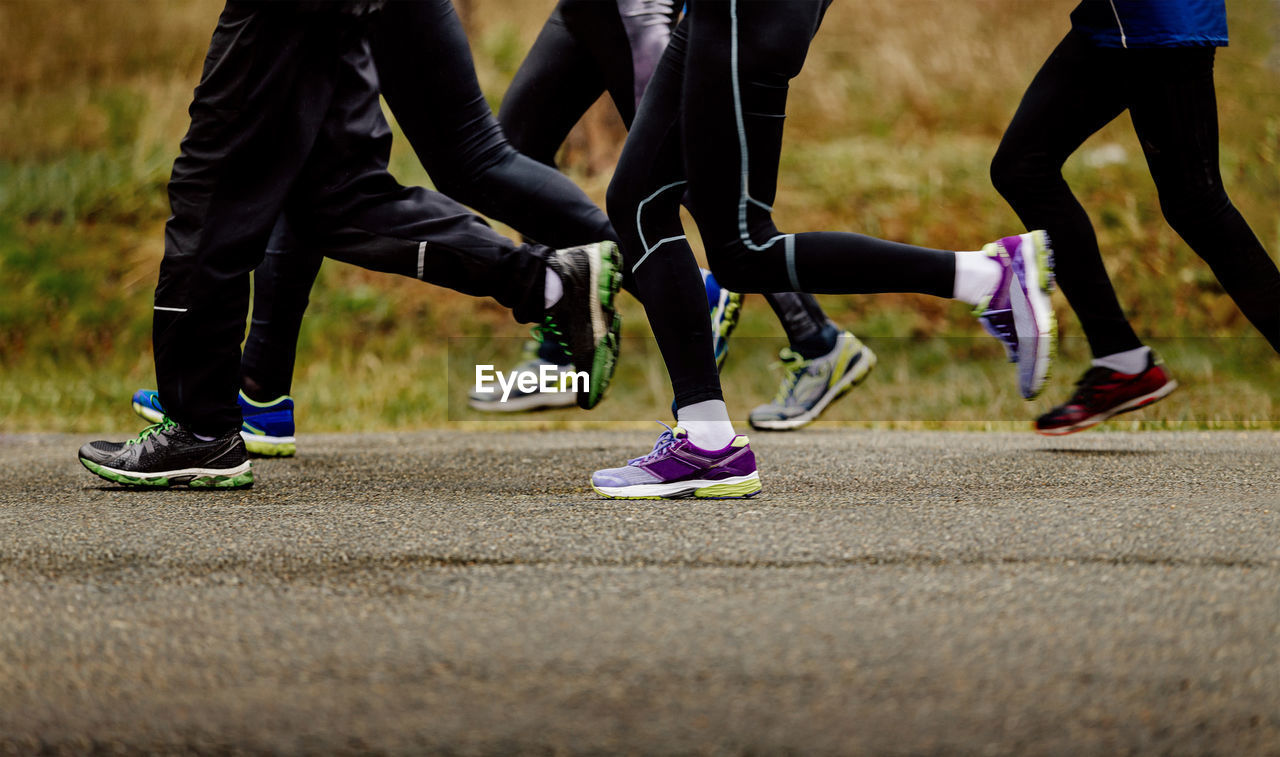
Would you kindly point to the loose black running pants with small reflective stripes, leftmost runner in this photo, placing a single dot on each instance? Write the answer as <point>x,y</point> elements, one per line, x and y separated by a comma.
<point>281,124</point>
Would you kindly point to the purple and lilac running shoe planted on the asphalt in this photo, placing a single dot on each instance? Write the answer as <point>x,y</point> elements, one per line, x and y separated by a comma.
<point>679,469</point>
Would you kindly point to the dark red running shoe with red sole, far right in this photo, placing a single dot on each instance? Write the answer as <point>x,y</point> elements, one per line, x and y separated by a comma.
<point>1103,394</point>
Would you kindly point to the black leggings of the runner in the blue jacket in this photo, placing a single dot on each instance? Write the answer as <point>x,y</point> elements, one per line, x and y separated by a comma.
<point>1169,94</point>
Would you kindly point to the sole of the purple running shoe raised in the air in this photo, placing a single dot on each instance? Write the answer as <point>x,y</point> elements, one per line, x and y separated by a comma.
<point>1031,300</point>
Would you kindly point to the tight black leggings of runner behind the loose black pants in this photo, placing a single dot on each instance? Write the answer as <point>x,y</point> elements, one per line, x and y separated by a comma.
<point>428,77</point>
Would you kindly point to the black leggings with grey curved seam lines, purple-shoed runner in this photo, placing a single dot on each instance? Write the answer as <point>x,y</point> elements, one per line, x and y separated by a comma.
<point>714,116</point>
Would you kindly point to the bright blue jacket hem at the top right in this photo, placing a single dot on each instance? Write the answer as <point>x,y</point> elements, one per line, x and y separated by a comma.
<point>1153,24</point>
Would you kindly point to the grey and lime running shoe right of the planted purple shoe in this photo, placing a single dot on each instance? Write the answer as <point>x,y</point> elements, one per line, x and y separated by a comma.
<point>810,386</point>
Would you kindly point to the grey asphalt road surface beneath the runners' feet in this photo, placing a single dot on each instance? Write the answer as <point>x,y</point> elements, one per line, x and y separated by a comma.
<point>890,592</point>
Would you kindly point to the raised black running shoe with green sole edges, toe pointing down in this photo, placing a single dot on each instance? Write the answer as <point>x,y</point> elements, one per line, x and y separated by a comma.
<point>584,320</point>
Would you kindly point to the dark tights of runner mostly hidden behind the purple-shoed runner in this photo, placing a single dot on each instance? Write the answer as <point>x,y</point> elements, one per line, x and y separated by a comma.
<point>586,49</point>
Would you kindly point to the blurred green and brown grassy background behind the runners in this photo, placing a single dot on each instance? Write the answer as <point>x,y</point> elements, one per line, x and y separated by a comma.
<point>890,133</point>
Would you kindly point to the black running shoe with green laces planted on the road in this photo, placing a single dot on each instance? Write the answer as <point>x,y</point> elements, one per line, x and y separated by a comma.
<point>167,455</point>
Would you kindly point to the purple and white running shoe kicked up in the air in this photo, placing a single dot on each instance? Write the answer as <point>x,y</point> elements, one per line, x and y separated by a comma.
<point>1020,313</point>
